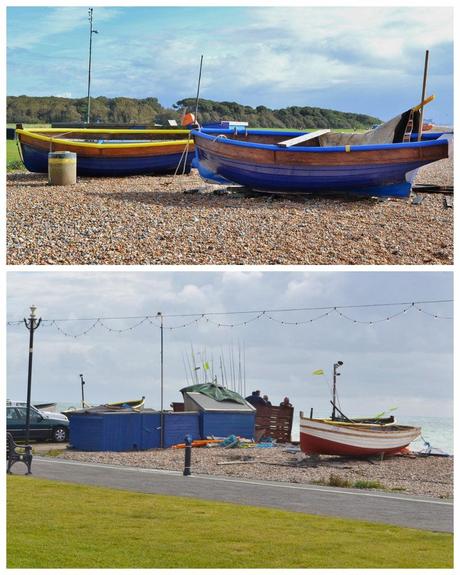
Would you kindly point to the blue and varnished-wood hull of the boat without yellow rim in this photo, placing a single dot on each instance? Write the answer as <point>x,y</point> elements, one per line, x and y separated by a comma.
<point>377,170</point>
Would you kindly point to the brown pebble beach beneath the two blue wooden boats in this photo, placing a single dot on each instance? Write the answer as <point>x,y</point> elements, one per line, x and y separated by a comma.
<point>181,220</point>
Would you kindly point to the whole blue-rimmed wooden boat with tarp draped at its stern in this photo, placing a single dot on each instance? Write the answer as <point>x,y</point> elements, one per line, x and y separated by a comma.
<point>381,162</point>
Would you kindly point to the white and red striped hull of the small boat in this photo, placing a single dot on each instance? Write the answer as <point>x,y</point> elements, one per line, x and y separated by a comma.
<point>323,437</point>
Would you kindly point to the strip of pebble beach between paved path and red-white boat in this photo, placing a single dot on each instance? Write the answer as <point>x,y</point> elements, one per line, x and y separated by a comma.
<point>406,474</point>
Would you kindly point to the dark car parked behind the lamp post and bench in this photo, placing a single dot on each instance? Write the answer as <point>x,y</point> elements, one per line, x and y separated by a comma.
<point>43,426</point>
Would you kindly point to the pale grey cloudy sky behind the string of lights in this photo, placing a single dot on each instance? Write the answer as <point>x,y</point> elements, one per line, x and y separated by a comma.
<point>405,362</point>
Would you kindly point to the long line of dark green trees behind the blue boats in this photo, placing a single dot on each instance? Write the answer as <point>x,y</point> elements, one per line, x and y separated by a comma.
<point>50,109</point>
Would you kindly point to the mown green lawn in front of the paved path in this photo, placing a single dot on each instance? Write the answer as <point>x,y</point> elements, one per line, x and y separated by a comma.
<point>59,525</point>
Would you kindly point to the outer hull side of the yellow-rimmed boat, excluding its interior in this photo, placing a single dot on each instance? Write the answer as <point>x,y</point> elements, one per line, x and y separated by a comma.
<point>108,159</point>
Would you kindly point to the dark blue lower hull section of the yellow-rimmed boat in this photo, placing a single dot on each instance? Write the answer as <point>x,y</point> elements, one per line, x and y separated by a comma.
<point>37,161</point>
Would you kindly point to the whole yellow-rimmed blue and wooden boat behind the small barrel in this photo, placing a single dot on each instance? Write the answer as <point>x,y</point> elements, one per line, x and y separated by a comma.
<point>109,152</point>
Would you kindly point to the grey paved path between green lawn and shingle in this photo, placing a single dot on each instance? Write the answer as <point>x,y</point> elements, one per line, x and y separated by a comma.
<point>406,511</point>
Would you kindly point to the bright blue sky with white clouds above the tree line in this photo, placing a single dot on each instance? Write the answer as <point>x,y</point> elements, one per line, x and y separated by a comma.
<point>353,59</point>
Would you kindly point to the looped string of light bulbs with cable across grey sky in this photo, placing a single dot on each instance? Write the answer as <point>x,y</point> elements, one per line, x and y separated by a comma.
<point>157,320</point>
